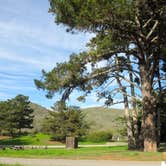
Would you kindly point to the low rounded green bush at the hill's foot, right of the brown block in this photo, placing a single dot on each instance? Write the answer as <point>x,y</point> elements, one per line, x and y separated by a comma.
<point>100,136</point>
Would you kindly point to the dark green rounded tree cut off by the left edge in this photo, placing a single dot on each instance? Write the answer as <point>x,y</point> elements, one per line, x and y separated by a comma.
<point>15,115</point>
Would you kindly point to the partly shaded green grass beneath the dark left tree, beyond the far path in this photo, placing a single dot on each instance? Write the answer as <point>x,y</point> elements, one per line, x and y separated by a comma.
<point>38,139</point>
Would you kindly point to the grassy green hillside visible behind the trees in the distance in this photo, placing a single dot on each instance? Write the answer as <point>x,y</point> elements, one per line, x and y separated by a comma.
<point>100,118</point>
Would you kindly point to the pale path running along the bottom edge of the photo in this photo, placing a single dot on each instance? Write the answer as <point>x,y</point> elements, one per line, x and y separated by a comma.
<point>62,162</point>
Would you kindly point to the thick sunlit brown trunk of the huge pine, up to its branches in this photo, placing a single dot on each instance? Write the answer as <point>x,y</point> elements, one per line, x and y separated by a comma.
<point>149,104</point>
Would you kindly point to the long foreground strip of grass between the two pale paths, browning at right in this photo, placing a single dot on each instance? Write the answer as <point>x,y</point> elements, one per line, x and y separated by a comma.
<point>103,153</point>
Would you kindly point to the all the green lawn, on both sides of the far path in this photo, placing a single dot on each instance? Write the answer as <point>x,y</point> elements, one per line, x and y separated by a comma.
<point>104,153</point>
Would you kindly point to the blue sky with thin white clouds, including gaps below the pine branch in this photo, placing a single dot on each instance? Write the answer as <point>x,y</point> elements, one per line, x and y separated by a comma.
<point>29,42</point>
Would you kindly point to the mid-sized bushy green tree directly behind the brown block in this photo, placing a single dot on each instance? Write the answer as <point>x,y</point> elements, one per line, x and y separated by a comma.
<point>66,122</point>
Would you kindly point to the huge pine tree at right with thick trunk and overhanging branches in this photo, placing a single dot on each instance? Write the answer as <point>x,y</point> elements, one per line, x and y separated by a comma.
<point>130,38</point>
